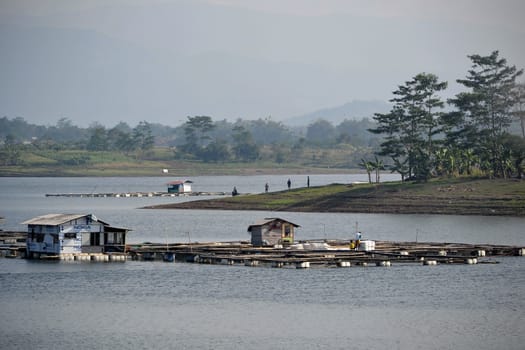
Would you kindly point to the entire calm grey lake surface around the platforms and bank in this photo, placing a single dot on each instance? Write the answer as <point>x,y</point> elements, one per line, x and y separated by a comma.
<point>143,305</point>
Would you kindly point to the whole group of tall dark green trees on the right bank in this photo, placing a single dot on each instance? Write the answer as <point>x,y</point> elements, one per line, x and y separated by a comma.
<point>422,140</point>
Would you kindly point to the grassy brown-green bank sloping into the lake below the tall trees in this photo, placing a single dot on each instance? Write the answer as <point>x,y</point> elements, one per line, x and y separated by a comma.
<point>462,196</point>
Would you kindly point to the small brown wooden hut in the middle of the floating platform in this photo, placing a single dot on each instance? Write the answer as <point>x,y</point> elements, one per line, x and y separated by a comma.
<point>272,231</point>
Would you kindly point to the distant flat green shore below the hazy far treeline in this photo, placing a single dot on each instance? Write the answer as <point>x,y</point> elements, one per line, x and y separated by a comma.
<point>84,163</point>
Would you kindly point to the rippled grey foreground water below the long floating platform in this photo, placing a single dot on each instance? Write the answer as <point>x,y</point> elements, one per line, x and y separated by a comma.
<point>154,304</point>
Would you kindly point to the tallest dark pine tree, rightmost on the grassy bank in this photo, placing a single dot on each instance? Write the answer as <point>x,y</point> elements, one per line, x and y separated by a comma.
<point>485,112</point>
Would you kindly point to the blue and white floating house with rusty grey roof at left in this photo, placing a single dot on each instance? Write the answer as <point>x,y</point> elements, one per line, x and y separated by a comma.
<point>56,234</point>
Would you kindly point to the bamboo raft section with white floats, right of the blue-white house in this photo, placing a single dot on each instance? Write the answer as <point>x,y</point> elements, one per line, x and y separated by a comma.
<point>337,254</point>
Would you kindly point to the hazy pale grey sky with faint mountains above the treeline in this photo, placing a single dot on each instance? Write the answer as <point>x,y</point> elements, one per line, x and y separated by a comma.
<point>163,60</point>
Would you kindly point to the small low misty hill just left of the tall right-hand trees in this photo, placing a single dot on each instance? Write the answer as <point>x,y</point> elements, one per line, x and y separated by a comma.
<point>354,110</point>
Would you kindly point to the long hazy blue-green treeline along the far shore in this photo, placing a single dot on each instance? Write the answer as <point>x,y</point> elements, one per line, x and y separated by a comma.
<point>199,138</point>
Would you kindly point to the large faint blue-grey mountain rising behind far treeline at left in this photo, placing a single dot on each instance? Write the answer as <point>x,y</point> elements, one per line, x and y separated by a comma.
<point>85,76</point>
